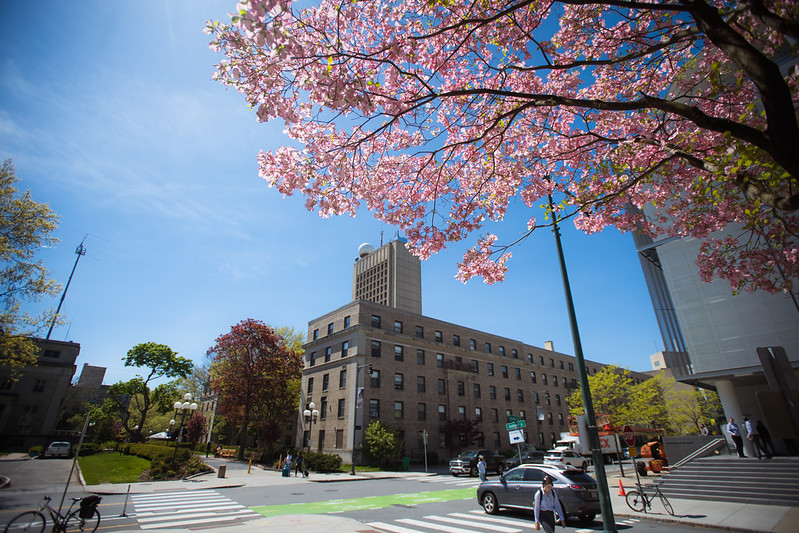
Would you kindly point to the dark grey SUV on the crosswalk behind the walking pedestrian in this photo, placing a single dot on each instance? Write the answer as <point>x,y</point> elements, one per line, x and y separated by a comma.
<point>515,489</point>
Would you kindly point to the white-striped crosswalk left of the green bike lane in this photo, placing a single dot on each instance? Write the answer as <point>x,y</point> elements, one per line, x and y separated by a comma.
<point>190,508</point>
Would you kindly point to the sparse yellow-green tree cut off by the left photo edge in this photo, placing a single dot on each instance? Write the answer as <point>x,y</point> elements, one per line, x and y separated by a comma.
<point>25,227</point>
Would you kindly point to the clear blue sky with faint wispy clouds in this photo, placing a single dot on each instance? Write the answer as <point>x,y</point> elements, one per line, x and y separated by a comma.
<point>111,117</point>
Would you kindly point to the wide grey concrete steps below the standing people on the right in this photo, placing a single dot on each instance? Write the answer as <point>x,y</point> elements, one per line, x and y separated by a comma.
<point>735,479</point>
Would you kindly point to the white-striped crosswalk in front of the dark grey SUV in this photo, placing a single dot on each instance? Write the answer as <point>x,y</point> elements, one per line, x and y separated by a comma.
<point>471,522</point>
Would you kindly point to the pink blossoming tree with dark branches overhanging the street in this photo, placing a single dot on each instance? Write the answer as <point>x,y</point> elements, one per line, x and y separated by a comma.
<point>674,118</point>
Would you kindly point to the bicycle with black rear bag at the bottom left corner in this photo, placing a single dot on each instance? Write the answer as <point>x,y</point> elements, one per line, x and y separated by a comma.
<point>84,518</point>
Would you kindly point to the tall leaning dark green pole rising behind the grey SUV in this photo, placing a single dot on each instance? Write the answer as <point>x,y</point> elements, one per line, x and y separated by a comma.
<point>605,504</point>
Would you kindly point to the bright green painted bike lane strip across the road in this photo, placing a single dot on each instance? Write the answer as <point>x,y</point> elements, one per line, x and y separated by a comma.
<point>365,503</point>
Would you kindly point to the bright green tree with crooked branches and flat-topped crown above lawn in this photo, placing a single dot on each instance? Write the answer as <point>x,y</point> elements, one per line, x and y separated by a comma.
<point>134,399</point>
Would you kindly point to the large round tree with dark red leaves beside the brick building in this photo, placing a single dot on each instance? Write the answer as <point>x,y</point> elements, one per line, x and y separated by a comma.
<point>252,371</point>
